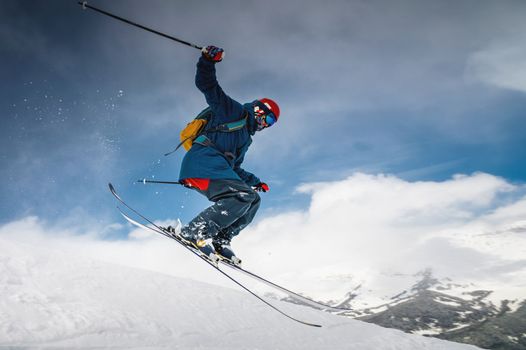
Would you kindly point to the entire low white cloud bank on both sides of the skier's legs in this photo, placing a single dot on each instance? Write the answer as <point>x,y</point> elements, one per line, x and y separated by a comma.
<point>360,230</point>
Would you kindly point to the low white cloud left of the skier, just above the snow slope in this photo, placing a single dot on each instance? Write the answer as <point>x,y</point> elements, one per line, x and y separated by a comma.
<point>142,250</point>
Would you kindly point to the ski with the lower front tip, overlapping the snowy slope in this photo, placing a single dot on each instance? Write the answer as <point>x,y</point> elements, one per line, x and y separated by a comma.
<point>160,230</point>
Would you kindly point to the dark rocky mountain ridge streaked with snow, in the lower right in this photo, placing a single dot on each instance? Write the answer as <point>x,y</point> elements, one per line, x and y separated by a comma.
<point>471,318</point>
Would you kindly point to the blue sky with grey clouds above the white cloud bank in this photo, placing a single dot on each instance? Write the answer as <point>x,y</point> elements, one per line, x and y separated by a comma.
<point>419,89</point>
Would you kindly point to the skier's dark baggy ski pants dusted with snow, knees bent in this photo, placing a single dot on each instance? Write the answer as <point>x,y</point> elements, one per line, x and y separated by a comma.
<point>235,205</point>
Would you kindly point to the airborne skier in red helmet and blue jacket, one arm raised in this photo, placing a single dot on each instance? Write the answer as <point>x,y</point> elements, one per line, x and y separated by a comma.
<point>212,166</point>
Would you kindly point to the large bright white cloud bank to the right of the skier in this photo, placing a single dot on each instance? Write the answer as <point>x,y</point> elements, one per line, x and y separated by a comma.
<point>364,228</point>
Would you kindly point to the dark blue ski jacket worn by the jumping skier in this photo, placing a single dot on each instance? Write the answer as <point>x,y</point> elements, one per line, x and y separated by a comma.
<point>210,162</point>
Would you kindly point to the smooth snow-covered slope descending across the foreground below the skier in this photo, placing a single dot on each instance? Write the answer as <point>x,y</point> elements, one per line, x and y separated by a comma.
<point>49,298</point>
